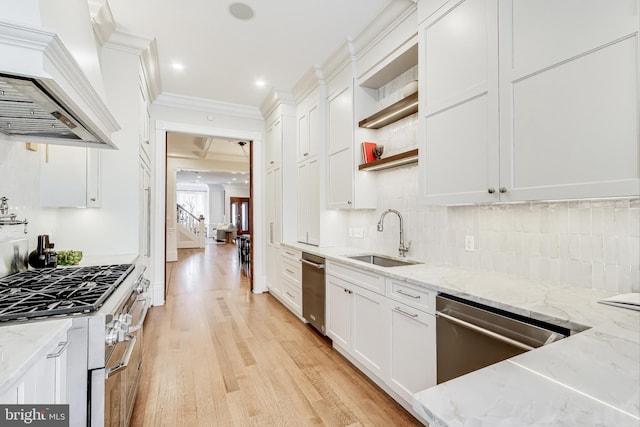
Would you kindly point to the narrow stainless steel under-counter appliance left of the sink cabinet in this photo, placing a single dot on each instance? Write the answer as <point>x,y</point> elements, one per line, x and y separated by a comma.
<point>313,290</point>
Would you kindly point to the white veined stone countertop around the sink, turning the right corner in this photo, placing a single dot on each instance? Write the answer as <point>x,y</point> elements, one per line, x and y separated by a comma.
<point>589,378</point>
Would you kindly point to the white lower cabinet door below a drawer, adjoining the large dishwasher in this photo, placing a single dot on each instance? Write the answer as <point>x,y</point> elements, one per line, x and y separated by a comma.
<point>413,350</point>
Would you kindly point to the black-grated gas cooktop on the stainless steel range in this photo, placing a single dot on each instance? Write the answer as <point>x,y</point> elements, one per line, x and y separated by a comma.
<point>58,291</point>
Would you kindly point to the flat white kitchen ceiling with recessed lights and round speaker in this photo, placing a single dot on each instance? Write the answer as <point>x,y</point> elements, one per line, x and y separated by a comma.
<point>223,56</point>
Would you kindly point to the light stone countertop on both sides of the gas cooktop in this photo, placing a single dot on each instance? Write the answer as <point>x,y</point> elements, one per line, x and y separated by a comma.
<point>23,343</point>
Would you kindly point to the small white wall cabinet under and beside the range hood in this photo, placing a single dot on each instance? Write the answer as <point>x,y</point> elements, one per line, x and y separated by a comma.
<point>70,176</point>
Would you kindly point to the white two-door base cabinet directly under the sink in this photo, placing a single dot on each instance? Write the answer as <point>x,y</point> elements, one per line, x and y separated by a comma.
<point>357,318</point>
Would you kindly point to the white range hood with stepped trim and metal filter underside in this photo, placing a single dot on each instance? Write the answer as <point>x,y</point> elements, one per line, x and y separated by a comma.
<point>45,96</point>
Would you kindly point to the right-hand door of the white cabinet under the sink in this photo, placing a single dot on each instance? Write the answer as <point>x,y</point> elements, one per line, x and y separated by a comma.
<point>370,332</point>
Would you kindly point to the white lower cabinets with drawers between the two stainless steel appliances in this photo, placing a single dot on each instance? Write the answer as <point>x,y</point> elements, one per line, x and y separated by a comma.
<point>387,331</point>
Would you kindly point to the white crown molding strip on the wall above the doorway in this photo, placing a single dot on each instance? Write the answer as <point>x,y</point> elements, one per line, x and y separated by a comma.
<point>210,106</point>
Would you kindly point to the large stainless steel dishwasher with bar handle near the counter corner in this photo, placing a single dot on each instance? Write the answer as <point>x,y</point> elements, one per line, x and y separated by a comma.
<point>470,336</point>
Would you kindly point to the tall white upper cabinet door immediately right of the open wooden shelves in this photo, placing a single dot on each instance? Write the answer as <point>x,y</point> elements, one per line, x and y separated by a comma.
<point>459,150</point>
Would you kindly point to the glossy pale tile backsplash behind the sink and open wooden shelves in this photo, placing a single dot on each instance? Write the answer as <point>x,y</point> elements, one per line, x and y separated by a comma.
<point>592,244</point>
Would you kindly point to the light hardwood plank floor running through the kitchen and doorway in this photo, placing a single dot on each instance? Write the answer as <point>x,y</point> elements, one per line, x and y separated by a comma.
<point>218,355</point>
